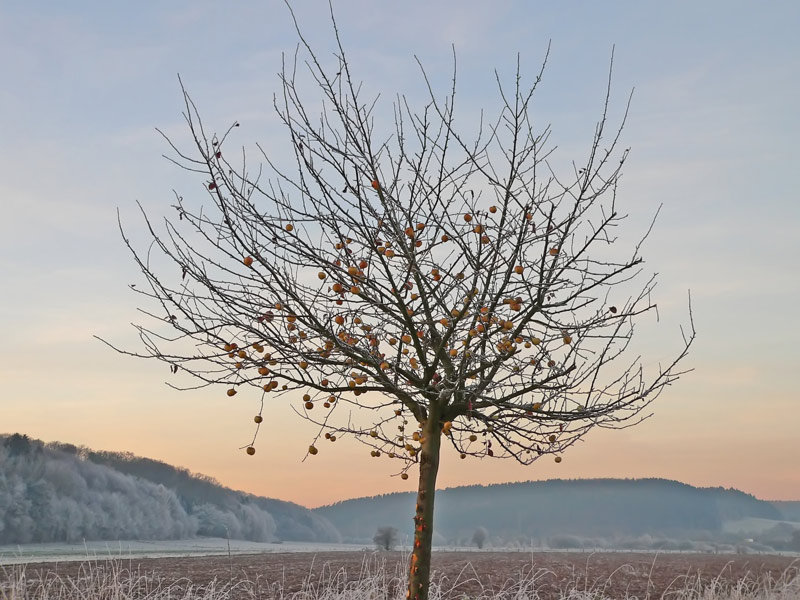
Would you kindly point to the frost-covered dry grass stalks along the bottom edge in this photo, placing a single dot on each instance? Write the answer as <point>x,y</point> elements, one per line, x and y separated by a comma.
<point>376,581</point>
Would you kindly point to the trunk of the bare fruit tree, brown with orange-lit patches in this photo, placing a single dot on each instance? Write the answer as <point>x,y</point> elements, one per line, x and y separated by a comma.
<point>420,568</point>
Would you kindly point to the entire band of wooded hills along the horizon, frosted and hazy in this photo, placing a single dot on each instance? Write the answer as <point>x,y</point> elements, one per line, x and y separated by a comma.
<point>59,492</point>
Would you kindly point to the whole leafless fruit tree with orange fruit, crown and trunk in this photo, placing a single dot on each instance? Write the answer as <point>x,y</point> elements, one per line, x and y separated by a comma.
<point>423,286</point>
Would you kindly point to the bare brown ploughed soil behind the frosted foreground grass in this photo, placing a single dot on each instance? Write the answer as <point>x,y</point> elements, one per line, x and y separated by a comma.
<point>471,573</point>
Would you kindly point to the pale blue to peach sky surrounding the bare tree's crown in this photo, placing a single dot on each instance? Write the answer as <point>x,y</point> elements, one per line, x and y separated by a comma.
<point>712,129</point>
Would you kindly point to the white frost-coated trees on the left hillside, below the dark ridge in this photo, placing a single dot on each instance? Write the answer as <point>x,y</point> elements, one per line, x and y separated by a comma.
<point>47,495</point>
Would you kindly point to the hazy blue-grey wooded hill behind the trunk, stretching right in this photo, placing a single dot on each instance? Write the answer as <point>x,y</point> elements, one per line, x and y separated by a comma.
<point>599,508</point>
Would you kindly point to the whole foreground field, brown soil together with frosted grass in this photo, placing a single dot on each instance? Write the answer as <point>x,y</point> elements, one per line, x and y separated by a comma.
<point>350,575</point>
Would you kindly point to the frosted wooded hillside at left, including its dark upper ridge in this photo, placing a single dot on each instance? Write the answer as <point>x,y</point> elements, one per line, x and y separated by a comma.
<point>60,492</point>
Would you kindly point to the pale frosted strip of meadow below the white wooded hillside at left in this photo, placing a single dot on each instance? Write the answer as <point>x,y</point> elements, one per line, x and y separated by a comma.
<point>27,553</point>
